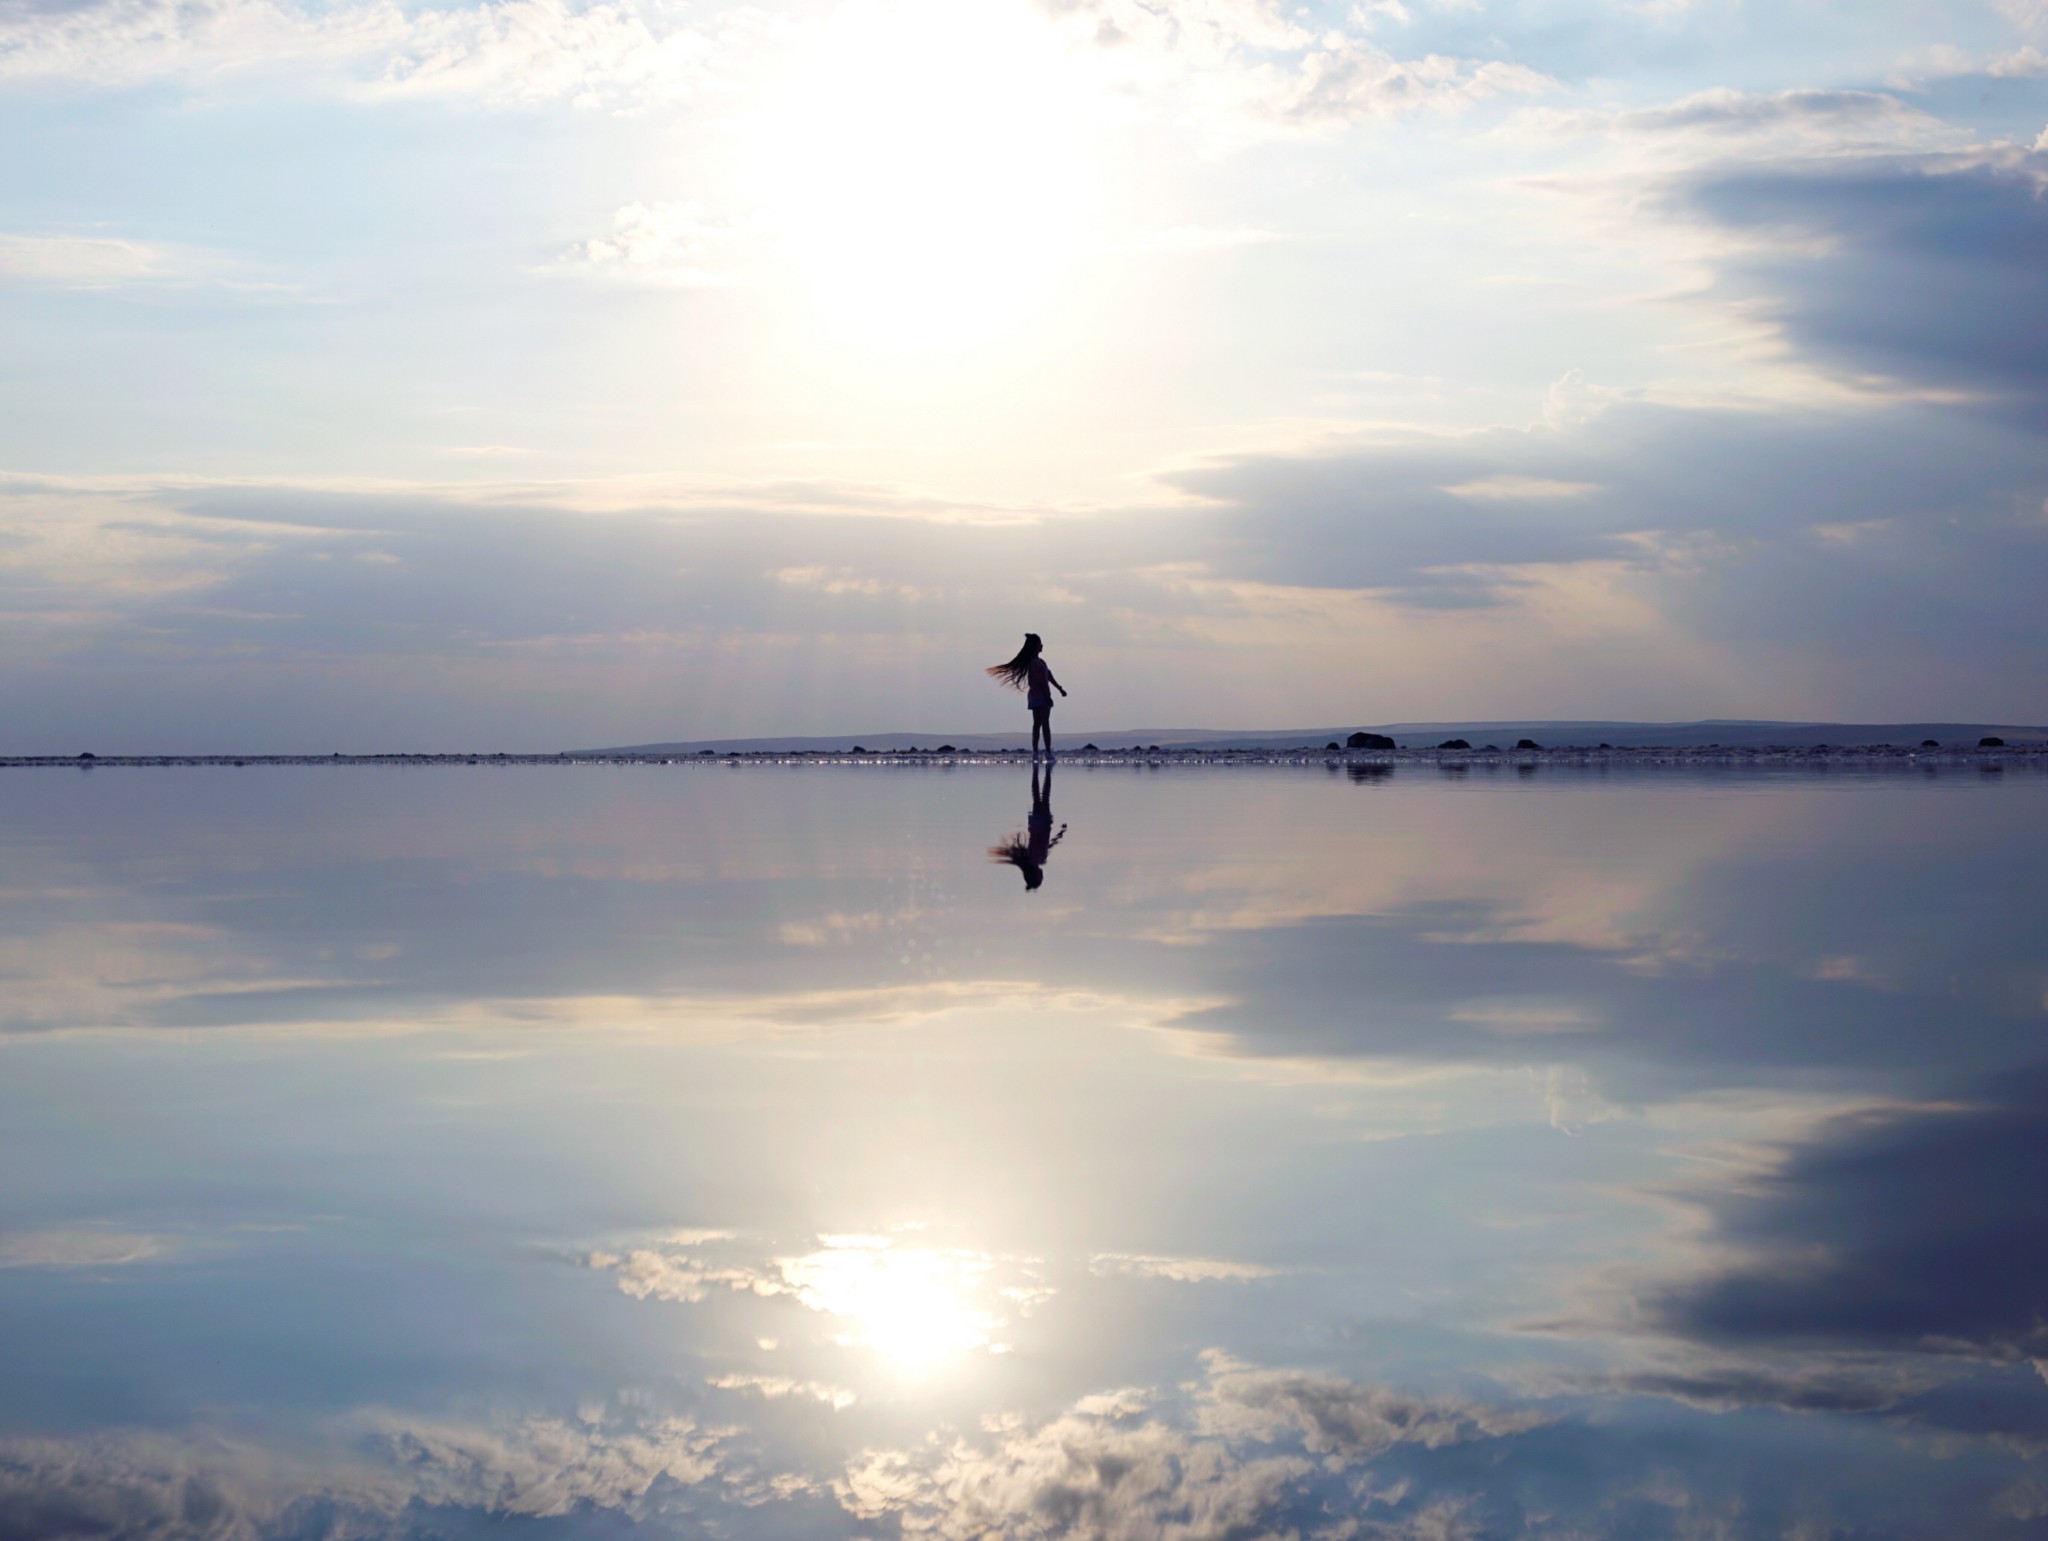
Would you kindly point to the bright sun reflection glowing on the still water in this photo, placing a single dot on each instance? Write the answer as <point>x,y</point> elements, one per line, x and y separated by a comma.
<point>914,1308</point>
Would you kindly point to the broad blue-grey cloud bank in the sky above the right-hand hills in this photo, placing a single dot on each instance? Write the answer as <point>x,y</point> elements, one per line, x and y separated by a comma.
<point>1711,534</point>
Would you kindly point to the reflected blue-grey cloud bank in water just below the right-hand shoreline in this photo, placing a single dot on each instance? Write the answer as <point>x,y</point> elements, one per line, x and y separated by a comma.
<point>1660,962</point>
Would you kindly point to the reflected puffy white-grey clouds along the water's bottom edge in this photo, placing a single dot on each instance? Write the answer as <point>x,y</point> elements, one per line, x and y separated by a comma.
<point>1121,1466</point>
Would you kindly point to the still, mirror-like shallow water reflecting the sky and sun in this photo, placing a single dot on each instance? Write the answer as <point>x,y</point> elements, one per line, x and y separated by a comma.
<point>744,1151</point>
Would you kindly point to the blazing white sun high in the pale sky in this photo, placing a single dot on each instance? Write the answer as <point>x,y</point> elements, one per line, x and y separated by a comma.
<point>923,171</point>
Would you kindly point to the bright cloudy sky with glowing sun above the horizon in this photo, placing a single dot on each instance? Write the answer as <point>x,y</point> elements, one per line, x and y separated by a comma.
<point>540,376</point>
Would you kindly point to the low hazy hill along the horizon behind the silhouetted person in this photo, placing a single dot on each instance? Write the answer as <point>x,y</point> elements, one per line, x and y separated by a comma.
<point>1547,733</point>
